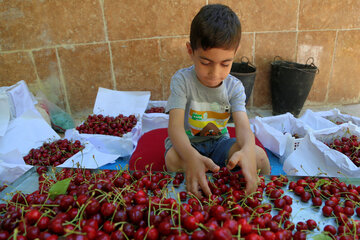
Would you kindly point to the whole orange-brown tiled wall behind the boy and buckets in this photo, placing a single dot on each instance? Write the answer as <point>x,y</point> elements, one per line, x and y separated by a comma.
<point>67,49</point>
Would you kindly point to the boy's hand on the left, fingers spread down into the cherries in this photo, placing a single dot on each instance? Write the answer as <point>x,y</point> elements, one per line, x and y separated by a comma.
<point>195,174</point>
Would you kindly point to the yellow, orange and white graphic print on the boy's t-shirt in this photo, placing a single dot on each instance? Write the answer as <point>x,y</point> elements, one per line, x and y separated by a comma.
<point>207,119</point>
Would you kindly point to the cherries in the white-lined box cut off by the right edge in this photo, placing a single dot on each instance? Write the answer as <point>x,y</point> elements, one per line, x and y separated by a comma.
<point>350,146</point>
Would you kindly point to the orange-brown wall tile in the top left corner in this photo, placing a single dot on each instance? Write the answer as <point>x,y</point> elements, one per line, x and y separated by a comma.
<point>34,24</point>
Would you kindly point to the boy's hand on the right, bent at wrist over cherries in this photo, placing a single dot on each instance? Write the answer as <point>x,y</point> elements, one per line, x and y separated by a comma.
<point>248,167</point>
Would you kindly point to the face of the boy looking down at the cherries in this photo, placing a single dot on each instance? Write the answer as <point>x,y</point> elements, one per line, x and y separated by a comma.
<point>213,65</point>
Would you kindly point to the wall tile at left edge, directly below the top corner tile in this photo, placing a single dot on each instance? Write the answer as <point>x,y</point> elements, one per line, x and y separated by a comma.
<point>15,67</point>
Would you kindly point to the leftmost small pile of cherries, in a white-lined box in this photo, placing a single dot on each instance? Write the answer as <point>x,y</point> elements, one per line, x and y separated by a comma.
<point>53,153</point>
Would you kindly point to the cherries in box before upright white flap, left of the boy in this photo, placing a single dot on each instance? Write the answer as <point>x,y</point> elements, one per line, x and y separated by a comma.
<point>107,125</point>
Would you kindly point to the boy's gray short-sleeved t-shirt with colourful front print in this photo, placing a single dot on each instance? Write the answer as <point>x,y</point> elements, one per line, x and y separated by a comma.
<point>207,110</point>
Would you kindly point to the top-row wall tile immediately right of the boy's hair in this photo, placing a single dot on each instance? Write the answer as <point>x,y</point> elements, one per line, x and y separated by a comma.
<point>264,15</point>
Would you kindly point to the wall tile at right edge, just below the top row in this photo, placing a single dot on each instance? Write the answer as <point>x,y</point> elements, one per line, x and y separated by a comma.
<point>344,82</point>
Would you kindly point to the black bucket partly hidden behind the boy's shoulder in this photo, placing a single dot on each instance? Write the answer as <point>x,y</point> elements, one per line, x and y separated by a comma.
<point>245,72</point>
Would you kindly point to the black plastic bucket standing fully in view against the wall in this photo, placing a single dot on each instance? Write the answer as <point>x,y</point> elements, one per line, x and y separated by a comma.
<point>290,85</point>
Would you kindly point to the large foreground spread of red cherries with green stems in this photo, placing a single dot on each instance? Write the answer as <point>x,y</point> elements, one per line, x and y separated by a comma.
<point>149,205</point>
